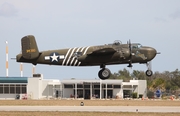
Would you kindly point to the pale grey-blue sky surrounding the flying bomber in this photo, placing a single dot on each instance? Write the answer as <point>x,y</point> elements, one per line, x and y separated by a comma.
<point>60,24</point>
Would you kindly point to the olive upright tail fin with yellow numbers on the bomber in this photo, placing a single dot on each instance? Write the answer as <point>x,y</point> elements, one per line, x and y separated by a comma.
<point>29,47</point>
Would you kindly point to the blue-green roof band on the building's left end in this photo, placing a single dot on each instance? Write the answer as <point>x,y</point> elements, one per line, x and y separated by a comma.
<point>13,80</point>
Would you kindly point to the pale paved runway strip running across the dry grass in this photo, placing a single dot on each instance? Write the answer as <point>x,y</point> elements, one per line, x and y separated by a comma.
<point>162,109</point>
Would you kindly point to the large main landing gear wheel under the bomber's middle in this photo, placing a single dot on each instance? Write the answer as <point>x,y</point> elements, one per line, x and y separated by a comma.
<point>104,73</point>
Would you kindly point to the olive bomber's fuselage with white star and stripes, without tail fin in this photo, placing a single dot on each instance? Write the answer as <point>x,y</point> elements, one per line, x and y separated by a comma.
<point>82,56</point>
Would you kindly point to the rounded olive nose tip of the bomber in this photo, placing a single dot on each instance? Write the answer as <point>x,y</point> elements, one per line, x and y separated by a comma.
<point>151,53</point>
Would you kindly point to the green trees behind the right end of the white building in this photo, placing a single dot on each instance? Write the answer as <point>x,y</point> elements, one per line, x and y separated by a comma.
<point>165,81</point>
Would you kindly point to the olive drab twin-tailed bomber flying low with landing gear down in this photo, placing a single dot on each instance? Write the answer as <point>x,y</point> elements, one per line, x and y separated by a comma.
<point>101,55</point>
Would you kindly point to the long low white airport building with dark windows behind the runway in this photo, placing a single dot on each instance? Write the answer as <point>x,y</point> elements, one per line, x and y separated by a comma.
<point>38,88</point>
